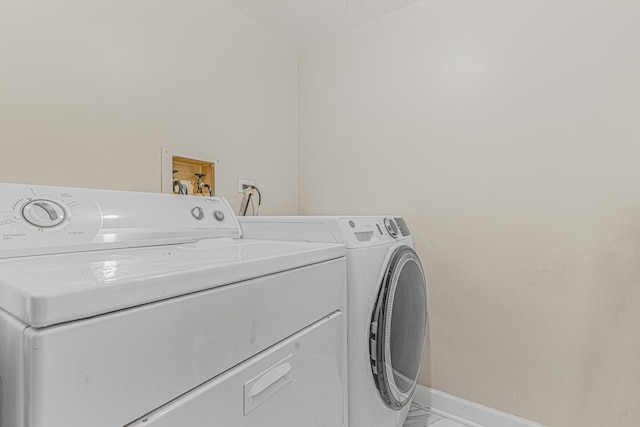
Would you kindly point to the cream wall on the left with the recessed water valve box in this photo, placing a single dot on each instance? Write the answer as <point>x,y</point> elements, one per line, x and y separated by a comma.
<point>90,90</point>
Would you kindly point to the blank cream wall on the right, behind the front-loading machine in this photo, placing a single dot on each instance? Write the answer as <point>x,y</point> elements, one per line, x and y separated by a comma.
<point>508,134</point>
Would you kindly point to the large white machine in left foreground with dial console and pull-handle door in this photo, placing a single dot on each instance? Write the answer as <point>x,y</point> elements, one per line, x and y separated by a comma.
<point>134,309</point>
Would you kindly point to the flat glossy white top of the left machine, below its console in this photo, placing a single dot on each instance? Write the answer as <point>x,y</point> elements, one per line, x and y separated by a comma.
<point>50,289</point>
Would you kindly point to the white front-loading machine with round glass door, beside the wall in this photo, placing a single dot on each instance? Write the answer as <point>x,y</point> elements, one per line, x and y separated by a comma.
<point>386,311</point>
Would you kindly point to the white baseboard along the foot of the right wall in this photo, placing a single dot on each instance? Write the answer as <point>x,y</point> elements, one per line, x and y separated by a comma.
<point>465,412</point>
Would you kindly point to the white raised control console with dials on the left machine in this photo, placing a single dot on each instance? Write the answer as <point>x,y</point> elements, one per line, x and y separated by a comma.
<point>41,219</point>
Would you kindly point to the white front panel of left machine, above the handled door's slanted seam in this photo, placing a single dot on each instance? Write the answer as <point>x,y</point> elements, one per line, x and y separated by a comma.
<point>109,370</point>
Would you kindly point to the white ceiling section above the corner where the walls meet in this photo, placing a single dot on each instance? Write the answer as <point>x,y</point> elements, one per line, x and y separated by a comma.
<point>301,23</point>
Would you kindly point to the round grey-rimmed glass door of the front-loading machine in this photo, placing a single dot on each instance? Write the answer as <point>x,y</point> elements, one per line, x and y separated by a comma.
<point>398,328</point>
